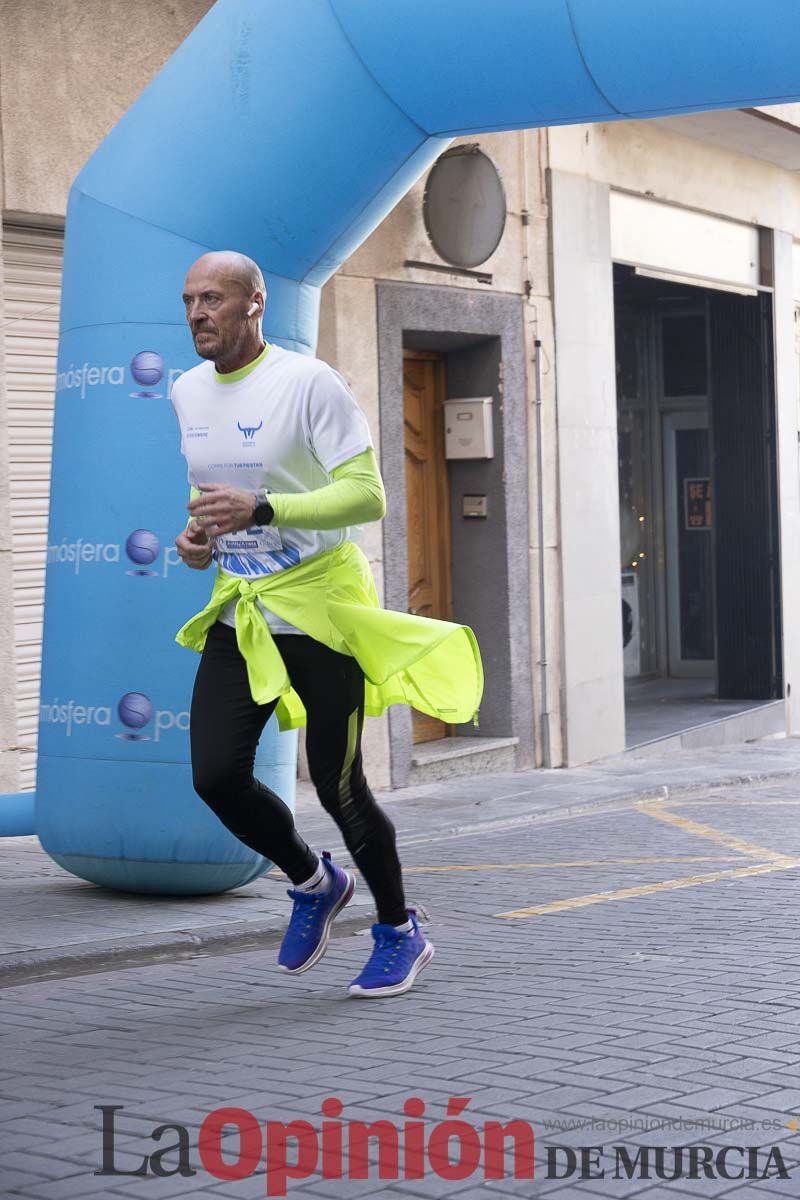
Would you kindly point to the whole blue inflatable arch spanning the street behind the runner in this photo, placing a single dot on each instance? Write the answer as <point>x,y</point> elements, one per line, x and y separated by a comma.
<point>288,130</point>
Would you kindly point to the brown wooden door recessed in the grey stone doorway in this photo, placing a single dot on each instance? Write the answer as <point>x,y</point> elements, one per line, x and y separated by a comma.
<point>428,505</point>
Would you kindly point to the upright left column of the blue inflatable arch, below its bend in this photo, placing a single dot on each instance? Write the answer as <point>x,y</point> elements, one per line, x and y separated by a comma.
<point>116,802</point>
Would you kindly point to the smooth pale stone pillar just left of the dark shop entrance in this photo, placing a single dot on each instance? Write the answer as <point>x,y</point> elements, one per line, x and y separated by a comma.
<point>593,691</point>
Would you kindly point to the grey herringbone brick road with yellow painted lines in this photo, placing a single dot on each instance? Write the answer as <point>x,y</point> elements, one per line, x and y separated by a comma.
<point>657,980</point>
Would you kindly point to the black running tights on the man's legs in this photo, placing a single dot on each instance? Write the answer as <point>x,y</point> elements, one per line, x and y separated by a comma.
<point>226,725</point>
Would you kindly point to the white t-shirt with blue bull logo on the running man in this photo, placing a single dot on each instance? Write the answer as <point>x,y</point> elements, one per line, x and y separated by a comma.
<point>284,427</point>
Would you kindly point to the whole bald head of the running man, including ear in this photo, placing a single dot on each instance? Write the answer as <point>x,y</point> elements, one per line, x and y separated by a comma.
<point>225,297</point>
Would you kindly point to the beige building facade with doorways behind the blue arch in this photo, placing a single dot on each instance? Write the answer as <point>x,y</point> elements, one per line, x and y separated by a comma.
<point>610,311</point>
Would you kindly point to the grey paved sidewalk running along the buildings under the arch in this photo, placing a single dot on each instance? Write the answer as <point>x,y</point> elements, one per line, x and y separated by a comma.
<point>56,925</point>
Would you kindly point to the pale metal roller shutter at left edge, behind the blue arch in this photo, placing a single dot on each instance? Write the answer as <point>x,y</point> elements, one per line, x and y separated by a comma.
<point>32,291</point>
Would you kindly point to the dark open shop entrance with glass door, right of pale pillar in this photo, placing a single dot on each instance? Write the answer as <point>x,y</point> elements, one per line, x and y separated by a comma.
<point>700,566</point>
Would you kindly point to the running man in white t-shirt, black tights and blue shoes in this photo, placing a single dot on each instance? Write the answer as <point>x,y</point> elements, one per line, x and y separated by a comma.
<point>282,466</point>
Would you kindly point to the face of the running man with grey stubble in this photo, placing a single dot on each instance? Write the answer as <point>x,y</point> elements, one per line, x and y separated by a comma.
<point>216,308</point>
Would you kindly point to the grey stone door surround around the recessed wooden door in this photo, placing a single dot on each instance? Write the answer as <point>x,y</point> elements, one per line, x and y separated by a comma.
<point>498,609</point>
